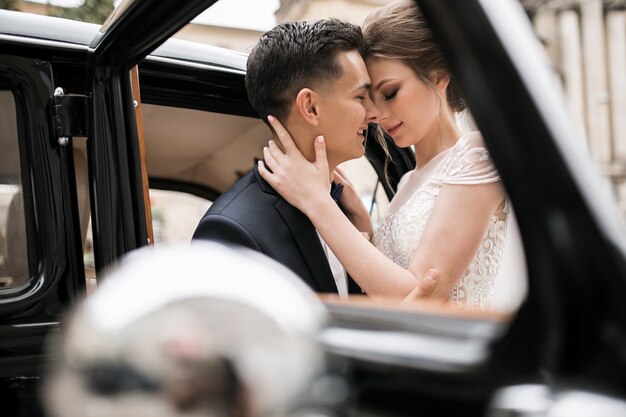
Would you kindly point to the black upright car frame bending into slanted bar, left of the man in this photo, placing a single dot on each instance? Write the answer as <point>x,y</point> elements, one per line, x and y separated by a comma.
<point>132,32</point>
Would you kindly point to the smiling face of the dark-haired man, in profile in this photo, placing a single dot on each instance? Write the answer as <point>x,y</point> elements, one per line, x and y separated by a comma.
<point>345,110</point>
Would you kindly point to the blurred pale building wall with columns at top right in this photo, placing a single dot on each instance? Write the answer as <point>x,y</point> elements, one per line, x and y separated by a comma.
<point>586,41</point>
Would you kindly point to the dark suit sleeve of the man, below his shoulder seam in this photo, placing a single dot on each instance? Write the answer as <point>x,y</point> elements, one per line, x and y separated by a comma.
<point>224,229</point>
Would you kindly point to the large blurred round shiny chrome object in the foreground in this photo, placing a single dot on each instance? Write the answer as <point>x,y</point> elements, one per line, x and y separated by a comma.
<point>206,330</point>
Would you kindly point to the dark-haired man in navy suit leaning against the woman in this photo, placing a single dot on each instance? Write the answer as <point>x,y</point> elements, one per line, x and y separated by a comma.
<point>311,76</point>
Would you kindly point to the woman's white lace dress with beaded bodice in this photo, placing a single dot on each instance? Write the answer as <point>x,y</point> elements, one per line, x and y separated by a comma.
<point>401,230</point>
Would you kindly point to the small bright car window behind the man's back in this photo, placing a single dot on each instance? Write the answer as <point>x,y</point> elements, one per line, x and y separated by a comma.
<point>175,215</point>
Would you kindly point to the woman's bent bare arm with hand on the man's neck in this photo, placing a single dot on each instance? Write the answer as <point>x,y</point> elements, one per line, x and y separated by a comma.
<point>457,225</point>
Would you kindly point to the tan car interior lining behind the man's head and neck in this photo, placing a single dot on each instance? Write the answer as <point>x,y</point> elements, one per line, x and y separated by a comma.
<point>191,146</point>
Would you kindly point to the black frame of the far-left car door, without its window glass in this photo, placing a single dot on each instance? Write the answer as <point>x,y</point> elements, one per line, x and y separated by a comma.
<point>53,242</point>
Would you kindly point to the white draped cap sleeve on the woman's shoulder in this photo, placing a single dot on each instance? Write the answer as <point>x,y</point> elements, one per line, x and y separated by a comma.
<point>470,163</point>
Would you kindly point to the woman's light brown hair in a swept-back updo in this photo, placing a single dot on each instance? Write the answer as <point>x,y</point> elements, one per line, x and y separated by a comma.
<point>399,31</point>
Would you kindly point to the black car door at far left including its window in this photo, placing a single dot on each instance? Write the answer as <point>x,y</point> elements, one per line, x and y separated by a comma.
<point>41,258</point>
